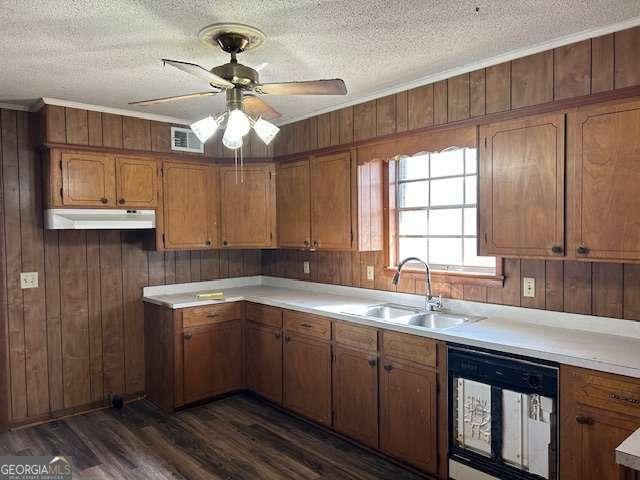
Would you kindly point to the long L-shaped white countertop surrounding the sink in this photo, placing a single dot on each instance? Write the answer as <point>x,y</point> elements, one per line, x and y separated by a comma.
<point>604,344</point>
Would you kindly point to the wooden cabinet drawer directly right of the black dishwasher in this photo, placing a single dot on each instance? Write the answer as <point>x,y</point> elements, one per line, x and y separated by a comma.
<point>606,391</point>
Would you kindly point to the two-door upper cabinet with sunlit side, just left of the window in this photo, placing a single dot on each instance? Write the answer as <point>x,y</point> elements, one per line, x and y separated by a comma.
<point>330,202</point>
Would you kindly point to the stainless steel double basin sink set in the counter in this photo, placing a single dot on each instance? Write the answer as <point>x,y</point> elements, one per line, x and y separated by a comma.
<point>401,315</point>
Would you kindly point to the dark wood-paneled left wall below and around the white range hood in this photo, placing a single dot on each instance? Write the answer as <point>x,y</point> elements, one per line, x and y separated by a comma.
<point>79,336</point>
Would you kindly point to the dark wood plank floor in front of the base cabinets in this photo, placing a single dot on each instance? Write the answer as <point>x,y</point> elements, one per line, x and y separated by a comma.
<point>237,437</point>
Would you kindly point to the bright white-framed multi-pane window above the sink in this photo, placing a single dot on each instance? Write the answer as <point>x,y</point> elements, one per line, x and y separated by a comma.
<point>436,200</point>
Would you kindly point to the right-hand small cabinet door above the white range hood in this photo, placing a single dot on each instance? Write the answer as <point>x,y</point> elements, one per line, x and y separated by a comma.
<point>136,182</point>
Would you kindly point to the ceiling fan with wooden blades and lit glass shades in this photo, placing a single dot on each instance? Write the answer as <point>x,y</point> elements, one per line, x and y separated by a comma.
<point>244,107</point>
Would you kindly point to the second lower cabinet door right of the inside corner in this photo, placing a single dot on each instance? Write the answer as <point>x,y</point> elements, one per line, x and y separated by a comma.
<point>307,377</point>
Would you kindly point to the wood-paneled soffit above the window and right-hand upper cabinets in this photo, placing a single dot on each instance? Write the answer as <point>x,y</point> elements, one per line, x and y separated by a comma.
<point>589,67</point>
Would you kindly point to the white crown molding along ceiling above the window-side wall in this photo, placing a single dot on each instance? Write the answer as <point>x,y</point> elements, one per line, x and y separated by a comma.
<point>470,67</point>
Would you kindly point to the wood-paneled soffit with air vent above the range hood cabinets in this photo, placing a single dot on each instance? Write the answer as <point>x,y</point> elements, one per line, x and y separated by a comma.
<point>75,126</point>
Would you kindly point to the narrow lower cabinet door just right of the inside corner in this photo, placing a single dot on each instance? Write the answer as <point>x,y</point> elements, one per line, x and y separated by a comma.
<point>264,362</point>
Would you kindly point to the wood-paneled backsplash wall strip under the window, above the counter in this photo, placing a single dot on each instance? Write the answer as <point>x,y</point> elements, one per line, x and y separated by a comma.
<point>603,289</point>
